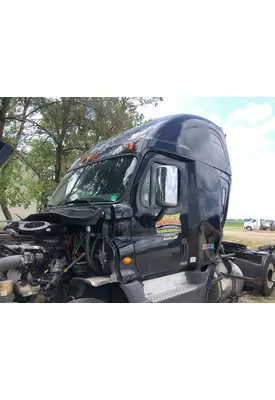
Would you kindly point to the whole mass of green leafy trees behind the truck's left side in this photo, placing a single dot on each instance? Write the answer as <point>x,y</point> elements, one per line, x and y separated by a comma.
<point>49,133</point>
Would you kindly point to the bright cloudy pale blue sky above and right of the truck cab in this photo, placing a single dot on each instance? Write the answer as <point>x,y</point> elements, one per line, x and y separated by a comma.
<point>249,125</point>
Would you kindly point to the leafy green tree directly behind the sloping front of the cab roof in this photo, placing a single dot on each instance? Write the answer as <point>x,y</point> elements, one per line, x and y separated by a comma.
<point>73,125</point>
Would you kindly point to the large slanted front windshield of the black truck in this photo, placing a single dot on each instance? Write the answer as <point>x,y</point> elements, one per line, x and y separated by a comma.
<point>98,182</point>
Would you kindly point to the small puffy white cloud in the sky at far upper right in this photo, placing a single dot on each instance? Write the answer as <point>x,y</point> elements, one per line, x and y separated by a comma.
<point>252,114</point>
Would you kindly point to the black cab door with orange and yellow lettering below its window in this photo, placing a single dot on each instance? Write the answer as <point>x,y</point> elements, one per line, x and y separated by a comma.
<point>160,249</point>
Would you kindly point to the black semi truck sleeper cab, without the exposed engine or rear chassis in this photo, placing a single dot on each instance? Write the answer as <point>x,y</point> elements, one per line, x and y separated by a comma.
<point>163,191</point>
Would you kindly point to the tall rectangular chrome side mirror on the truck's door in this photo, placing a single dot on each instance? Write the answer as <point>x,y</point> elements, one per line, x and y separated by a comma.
<point>167,186</point>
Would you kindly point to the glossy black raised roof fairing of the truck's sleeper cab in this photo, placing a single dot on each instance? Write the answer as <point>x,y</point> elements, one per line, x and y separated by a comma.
<point>190,136</point>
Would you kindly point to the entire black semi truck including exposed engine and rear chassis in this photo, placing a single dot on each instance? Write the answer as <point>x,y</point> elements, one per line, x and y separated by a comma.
<point>138,218</point>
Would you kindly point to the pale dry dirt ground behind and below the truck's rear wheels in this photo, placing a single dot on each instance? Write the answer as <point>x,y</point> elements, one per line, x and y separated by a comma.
<point>251,239</point>
